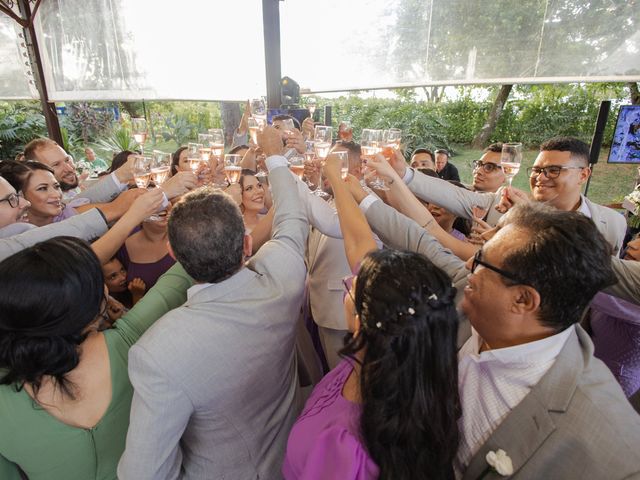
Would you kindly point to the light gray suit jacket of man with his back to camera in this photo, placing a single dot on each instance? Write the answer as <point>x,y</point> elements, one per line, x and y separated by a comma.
<point>216,389</point>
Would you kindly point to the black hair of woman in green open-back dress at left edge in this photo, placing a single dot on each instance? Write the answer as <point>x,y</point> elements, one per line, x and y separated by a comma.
<point>49,294</point>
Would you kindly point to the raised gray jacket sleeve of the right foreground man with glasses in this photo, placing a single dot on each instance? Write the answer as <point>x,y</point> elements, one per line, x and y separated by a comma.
<point>400,232</point>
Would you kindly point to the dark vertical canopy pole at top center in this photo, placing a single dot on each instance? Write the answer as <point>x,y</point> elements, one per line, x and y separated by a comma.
<point>271,27</point>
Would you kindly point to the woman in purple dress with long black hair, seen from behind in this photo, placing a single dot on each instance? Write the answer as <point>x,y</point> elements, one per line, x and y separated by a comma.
<point>389,410</point>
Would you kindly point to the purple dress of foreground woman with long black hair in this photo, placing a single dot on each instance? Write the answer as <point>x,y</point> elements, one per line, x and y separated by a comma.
<point>324,442</point>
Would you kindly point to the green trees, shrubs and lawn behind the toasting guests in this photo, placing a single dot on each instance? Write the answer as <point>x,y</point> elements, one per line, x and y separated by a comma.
<point>533,114</point>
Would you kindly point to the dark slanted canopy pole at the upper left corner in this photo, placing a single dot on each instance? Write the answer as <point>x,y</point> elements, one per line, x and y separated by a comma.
<point>48,108</point>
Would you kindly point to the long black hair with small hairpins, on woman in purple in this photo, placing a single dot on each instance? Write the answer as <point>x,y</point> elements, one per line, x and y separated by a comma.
<point>409,375</point>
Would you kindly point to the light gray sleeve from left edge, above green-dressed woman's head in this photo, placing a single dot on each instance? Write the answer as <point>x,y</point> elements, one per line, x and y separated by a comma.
<point>88,225</point>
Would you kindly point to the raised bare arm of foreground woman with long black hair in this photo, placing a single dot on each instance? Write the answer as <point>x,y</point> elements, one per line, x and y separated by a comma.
<point>358,237</point>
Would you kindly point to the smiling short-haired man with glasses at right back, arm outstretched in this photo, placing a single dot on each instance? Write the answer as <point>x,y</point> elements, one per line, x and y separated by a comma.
<point>556,178</point>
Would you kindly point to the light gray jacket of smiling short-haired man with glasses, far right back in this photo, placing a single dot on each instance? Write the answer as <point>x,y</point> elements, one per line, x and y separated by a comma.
<point>460,202</point>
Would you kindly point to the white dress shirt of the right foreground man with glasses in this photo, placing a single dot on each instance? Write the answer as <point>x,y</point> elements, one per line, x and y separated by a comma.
<point>494,382</point>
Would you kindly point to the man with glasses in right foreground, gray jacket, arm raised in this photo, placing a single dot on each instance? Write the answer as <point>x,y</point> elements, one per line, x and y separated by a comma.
<point>529,383</point>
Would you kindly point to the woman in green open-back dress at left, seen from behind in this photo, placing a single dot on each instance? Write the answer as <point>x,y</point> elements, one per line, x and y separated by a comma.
<point>65,394</point>
